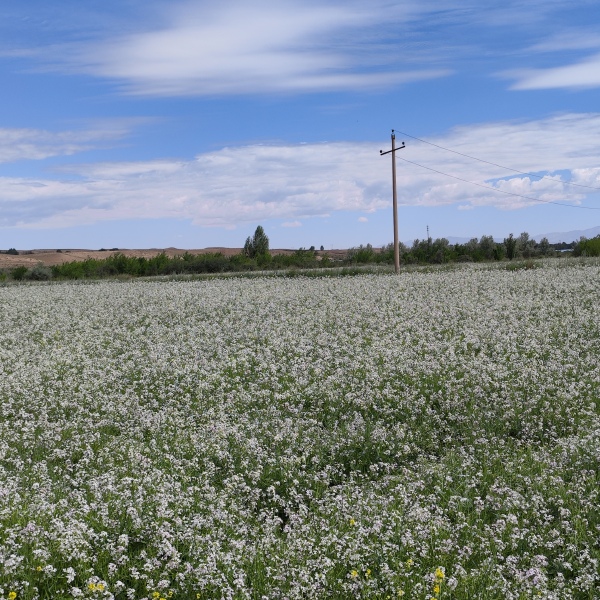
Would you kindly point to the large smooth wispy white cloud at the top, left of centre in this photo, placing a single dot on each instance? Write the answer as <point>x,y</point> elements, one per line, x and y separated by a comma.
<point>235,47</point>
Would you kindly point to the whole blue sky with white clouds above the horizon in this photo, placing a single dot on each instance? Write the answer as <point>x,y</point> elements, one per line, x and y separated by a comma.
<point>188,123</point>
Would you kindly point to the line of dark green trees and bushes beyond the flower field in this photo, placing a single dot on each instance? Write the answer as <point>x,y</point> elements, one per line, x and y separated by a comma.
<point>256,256</point>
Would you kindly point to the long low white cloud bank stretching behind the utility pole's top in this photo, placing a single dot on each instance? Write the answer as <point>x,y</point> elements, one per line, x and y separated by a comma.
<point>233,186</point>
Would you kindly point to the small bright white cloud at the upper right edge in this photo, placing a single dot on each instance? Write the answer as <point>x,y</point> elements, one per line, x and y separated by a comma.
<point>584,74</point>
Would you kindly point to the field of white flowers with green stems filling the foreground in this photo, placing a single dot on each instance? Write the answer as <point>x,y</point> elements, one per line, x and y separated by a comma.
<point>433,435</point>
